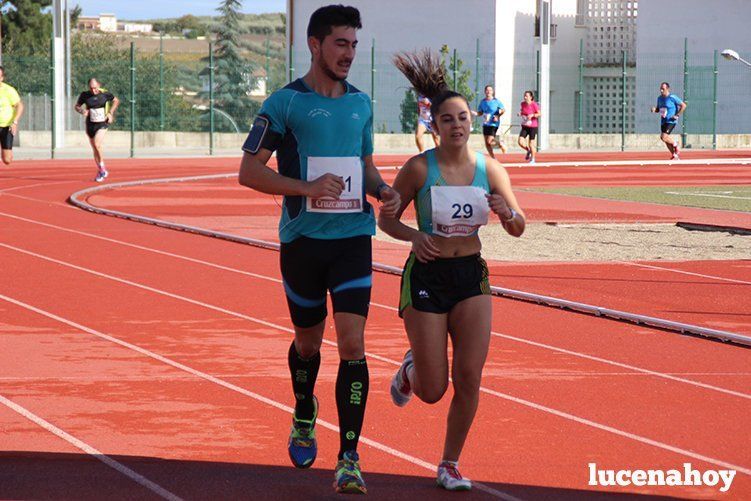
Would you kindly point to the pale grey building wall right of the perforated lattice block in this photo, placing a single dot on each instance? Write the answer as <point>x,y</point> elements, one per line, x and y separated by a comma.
<point>708,26</point>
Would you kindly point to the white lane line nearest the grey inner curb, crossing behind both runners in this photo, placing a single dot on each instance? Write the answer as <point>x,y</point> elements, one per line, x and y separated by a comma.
<point>391,308</point>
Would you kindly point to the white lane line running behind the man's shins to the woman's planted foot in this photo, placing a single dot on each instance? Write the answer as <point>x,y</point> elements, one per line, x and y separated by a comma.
<point>256,396</point>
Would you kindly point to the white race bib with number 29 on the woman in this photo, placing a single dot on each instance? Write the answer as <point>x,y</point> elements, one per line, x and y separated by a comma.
<point>458,211</point>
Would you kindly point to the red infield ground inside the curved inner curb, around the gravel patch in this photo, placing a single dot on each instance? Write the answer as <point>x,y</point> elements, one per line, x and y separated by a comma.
<point>706,293</point>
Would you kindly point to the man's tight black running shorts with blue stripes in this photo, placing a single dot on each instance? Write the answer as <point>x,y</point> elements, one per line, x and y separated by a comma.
<point>311,266</point>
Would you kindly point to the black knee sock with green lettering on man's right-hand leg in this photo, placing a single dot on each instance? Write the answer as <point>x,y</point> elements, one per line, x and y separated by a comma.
<point>351,395</point>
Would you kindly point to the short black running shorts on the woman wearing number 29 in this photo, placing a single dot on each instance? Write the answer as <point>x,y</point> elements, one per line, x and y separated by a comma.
<point>437,286</point>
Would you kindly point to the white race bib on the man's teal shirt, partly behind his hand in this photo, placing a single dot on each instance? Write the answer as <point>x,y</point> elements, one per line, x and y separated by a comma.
<point>350,170</point>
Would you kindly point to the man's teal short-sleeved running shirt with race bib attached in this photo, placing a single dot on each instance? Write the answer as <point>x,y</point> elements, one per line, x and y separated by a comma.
<point>313,135</point>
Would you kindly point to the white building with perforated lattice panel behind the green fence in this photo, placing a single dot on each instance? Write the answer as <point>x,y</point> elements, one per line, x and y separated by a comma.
<point>502,33</point>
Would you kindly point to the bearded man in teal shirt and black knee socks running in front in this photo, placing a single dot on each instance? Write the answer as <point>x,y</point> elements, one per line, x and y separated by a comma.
<point>320,127</point>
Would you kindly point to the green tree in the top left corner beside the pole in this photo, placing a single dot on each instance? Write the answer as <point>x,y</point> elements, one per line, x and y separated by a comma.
<point>27,30</point>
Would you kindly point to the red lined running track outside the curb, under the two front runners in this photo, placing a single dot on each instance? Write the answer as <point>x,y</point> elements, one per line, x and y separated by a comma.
<point>202,412</point>
